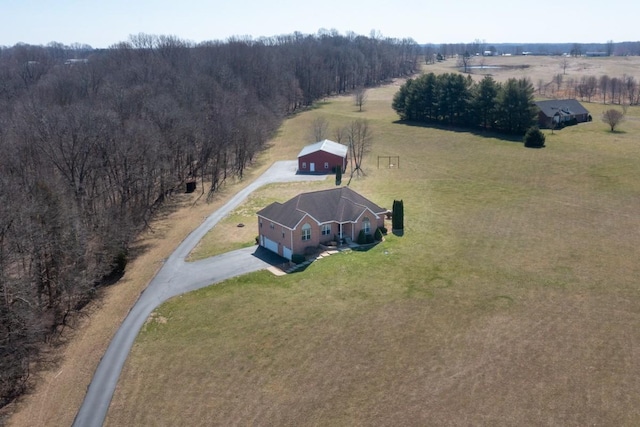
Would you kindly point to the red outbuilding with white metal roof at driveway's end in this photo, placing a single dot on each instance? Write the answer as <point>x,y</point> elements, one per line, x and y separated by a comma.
<point>322,157</point>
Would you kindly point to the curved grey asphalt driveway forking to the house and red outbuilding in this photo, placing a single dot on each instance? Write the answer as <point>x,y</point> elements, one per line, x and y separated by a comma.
<point>174,278</point>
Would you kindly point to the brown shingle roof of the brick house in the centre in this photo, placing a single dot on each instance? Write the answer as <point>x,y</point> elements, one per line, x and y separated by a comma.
<point>335,205</point>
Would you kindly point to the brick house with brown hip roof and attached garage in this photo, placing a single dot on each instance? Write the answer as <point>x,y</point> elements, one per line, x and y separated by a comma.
<point>310,219</point>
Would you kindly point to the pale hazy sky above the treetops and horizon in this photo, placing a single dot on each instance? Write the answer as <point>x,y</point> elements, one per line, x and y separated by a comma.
<point>105,22</point>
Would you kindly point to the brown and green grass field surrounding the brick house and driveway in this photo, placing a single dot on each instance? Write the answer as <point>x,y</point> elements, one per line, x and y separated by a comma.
<point>512,298</point>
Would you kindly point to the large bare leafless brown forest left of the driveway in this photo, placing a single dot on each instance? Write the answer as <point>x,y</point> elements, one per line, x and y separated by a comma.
<point>94,141</point>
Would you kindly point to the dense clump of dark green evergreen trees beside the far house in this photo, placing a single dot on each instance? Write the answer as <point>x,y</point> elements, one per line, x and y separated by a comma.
<point>455,100</point>
